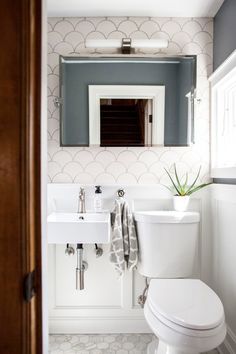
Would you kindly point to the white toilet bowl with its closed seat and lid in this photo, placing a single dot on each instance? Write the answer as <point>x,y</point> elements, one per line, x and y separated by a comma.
<point>185,315</point>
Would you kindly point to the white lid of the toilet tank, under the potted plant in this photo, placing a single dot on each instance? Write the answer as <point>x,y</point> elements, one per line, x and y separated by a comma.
<point>167,217</point>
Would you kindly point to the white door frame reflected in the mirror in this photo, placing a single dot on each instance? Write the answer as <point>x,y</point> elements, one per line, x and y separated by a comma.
<point>156,93</point>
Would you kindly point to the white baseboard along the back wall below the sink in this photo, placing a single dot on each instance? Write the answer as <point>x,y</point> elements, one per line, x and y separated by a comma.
<point>97,325</point>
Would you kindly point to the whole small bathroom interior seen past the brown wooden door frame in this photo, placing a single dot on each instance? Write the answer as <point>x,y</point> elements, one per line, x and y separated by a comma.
<point>177,59</point>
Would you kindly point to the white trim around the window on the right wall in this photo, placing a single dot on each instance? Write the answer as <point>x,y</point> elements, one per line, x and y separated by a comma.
<point>227,68</point>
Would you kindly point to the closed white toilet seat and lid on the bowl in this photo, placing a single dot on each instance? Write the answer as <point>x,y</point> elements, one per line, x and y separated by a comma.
<point>187,305</point>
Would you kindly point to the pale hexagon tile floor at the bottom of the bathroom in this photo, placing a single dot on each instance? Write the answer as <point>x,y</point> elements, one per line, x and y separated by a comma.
<point>101,344</point>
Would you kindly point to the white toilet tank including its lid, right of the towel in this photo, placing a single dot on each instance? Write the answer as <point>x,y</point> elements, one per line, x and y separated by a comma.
<point>168,243</point>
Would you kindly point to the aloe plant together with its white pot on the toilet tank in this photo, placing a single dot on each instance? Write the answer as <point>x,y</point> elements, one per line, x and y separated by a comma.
<point>183,190</point>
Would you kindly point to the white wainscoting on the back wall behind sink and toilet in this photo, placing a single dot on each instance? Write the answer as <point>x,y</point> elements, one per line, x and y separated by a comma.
<point>108,304</point>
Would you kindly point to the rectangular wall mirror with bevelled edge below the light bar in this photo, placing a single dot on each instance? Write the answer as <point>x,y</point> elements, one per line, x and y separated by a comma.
<point>164,86</point>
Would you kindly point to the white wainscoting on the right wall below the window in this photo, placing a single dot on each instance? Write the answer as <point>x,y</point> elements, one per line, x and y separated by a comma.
<point>224,246</point>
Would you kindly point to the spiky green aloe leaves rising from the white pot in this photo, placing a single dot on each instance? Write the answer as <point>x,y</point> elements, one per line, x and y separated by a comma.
<point>183,189</point>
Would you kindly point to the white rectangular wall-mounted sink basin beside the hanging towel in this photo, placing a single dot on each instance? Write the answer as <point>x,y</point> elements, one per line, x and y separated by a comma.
<point>78,228</point>
